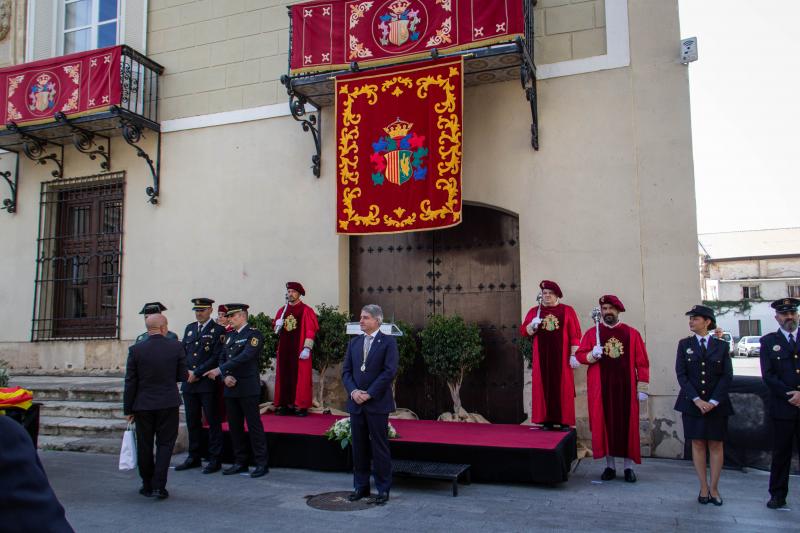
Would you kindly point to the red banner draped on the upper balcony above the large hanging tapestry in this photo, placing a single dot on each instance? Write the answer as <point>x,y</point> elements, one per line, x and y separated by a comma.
<point>329,35</point>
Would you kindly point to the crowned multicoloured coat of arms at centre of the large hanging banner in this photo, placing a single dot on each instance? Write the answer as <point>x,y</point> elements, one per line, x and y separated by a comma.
<point>400,155</point>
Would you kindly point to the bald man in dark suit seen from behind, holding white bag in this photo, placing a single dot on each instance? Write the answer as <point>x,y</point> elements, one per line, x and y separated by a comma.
<point>151,400</point>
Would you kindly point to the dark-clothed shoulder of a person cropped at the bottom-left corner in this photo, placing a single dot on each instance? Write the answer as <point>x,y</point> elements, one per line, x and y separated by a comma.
<point>28,502</point>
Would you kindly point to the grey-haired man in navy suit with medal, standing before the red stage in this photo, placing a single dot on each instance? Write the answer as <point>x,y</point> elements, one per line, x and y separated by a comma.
<point>369,368</point>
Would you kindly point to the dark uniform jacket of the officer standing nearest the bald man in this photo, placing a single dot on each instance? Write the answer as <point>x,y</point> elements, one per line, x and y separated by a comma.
<point>203,351</point>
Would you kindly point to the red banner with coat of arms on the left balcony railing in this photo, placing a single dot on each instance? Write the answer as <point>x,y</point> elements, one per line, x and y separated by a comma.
<point>75,84</point>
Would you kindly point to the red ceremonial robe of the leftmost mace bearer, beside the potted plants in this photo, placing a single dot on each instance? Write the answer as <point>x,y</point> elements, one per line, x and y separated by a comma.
<point>293,376</point>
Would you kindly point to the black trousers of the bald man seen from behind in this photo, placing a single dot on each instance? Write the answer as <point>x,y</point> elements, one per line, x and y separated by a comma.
<point>159,426</point>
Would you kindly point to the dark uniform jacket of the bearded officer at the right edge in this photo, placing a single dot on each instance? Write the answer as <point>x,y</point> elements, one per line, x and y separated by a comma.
<point>780,369</point>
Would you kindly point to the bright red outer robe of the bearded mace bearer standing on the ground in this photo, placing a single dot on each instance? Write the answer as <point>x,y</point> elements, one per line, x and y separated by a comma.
<point>639,368</point>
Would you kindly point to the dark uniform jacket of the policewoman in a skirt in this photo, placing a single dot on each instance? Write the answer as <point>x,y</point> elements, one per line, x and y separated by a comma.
<point>706,377</point>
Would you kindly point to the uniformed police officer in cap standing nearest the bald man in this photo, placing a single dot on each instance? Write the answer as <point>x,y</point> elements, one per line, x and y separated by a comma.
<point>203,341</point>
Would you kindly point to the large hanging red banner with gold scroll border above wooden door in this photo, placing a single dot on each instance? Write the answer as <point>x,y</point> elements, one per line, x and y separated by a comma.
<point>399,134</point>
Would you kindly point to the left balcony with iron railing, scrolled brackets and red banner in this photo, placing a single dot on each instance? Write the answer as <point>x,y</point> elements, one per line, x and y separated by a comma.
<point>82,100</point>
